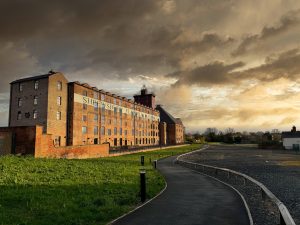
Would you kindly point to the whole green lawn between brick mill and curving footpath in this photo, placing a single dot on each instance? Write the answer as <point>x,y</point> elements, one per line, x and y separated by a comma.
<point>72,192</point>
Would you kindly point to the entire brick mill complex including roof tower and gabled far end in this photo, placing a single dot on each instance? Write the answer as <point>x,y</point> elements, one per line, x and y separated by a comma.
<point>77,114</point>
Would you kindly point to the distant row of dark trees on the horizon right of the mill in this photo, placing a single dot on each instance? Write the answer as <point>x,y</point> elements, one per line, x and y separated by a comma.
<point>230,136</point>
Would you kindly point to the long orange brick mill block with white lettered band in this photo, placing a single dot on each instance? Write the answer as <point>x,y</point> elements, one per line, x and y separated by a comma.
<point>97,116</point>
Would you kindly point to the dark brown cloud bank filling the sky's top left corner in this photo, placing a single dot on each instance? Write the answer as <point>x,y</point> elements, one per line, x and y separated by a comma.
<point>20,19</point>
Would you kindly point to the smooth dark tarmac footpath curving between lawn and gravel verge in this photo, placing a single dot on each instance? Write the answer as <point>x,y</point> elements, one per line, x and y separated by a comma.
<point>190,199</point>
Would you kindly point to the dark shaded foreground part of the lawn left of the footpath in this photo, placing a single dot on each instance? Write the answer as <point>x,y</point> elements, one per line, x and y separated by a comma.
<point>80,204</point>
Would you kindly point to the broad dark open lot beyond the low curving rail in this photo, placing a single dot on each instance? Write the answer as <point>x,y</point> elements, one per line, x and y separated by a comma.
<point>279,170</point>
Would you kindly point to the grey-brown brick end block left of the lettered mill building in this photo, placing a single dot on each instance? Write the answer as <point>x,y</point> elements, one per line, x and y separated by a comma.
<point>41,100</point>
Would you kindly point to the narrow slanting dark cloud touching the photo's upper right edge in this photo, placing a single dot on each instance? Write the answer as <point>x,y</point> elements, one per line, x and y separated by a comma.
<point>287,21</point>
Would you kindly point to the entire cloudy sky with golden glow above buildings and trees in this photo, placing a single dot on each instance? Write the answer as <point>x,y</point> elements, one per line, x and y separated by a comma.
<point>214,63</point>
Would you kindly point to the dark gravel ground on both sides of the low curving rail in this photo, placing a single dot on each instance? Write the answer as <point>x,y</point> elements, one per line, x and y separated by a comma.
<point>278,170</point>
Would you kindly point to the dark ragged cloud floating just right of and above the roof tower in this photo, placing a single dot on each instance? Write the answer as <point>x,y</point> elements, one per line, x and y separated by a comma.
<point>216,73</point>
